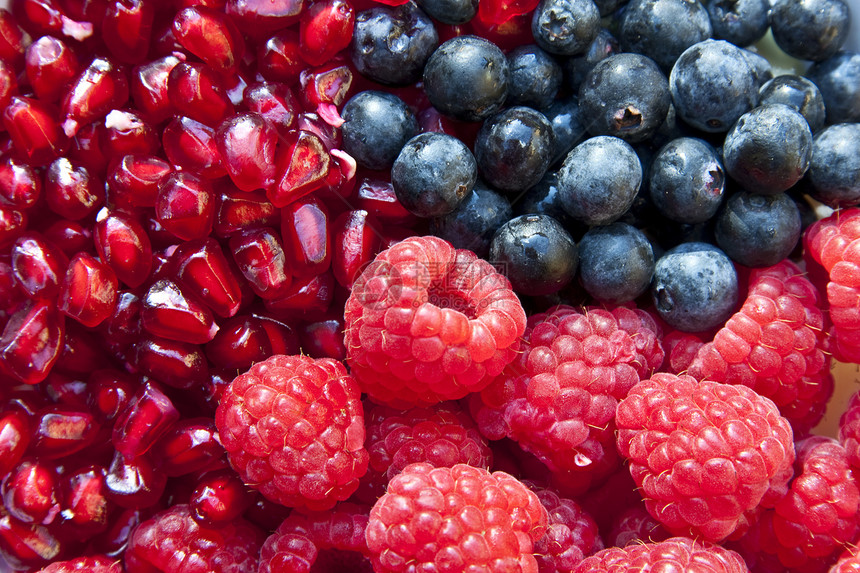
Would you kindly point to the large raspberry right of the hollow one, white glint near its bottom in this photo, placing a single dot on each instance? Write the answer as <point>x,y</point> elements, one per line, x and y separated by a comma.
<point>558,399</point>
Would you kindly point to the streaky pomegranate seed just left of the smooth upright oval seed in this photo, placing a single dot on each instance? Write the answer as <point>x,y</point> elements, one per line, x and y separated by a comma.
<point>259,253</point>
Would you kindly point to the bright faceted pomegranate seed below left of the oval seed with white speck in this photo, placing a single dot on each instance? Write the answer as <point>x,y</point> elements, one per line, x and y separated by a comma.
<point>89,290</point>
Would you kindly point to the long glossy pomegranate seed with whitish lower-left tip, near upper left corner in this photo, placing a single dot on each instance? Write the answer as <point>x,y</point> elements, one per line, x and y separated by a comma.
<point>101,87</point>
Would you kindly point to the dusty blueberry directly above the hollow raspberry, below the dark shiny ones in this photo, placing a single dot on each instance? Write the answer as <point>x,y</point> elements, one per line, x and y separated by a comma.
<point>433,174</point>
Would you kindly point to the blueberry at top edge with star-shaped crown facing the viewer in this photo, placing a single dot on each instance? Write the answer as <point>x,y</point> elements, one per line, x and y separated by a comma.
<point>565,27</point>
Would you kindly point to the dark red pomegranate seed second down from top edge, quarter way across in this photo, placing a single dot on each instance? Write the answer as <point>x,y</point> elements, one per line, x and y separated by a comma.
<point>195,91</point>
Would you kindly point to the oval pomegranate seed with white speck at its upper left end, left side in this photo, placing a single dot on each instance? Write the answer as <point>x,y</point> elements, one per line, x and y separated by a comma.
<point>123,244</point>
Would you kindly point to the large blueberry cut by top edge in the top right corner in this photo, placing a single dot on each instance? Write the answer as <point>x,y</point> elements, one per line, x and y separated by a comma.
<point>811,29</point>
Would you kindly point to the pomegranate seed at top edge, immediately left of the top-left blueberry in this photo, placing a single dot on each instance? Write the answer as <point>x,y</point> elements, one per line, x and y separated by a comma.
<point>325,29</point>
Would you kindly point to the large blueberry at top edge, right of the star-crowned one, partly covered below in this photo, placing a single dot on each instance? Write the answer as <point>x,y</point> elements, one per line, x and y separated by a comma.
<point>663,29</point>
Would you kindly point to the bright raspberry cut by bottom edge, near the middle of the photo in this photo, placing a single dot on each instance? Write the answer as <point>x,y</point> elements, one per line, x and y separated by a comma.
<point>455,520</point>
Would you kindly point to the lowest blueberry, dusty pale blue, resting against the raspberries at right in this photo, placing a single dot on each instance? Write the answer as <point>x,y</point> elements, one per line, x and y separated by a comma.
<point>695,287</point>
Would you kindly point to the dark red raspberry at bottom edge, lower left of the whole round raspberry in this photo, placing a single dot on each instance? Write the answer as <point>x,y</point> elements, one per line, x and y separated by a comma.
<point>173,542</point>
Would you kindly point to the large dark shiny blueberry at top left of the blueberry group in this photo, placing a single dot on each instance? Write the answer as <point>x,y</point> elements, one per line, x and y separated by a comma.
<point>390,45</point>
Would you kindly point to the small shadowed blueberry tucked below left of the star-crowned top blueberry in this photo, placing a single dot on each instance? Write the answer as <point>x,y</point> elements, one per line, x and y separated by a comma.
<point>535,77</point>
